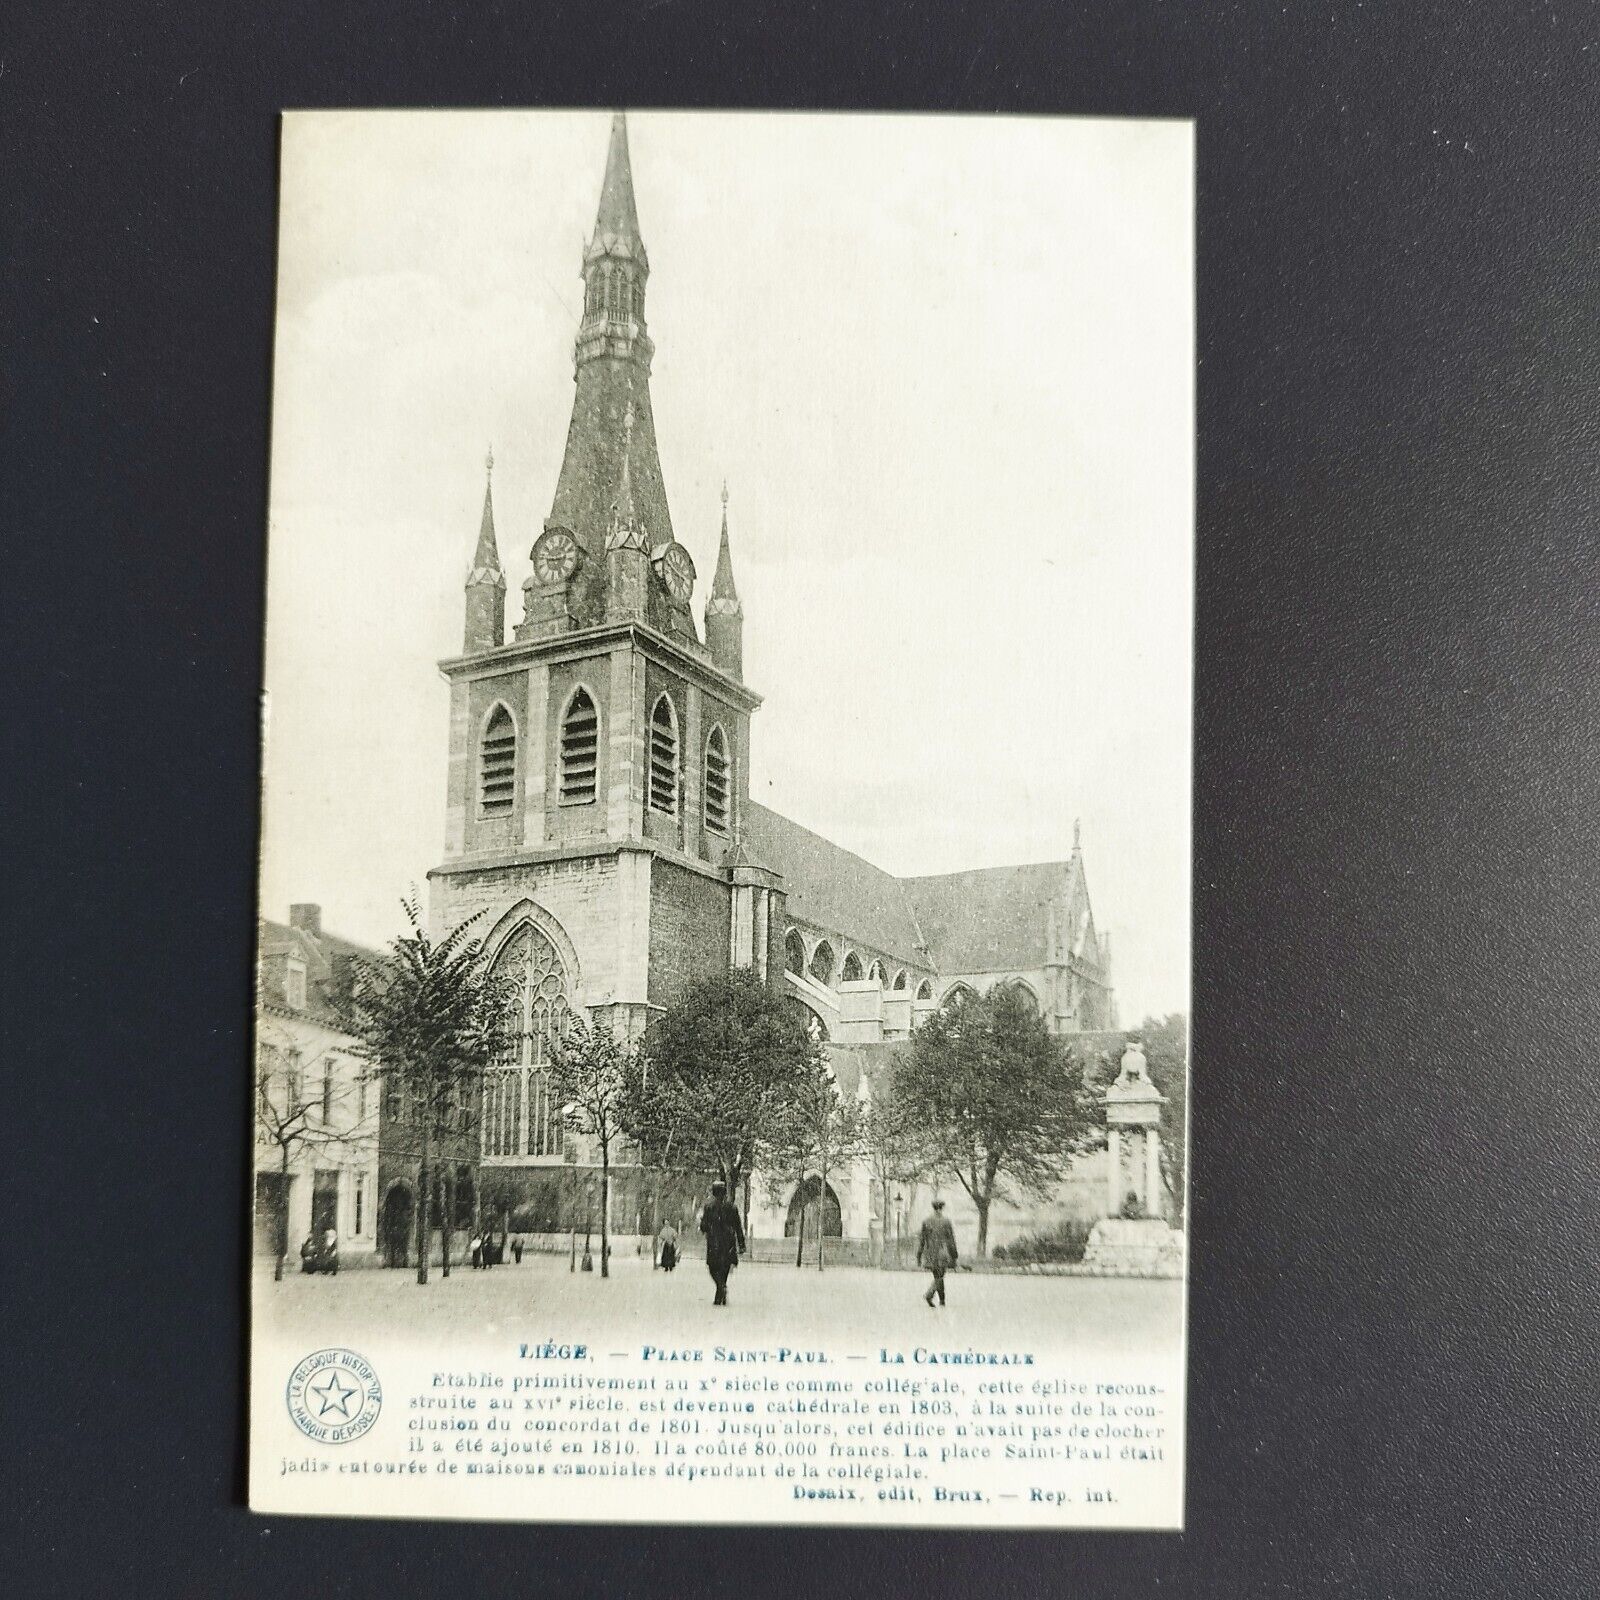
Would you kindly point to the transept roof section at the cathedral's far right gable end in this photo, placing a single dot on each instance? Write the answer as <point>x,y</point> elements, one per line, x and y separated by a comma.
<point>998,919</point>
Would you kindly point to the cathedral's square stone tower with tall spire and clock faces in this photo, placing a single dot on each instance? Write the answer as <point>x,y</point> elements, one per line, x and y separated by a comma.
<point>599,759</point>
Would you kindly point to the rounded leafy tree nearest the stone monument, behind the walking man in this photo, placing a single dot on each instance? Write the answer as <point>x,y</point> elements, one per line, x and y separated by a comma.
<point>998,1097</point>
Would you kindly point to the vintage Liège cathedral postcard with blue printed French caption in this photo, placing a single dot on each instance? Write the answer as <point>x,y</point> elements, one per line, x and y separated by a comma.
<point>722,1041</point>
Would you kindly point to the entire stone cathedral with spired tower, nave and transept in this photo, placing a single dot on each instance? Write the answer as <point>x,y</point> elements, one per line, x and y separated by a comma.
<point>599,822</point>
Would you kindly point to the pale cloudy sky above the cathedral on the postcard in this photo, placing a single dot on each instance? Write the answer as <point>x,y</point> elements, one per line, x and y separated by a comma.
<point>946,367</point>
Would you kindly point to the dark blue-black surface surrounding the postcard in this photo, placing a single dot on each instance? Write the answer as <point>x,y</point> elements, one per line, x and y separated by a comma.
<point>1393,1351</point>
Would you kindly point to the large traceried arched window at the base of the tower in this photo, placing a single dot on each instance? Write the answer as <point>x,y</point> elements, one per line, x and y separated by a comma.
<point>518,1114</point>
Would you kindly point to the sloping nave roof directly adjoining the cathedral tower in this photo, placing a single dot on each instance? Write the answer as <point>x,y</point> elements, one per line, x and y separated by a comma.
<point>836,890</point>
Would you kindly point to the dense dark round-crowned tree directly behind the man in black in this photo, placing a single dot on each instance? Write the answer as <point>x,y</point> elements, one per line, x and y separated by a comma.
<point>722,1066</point>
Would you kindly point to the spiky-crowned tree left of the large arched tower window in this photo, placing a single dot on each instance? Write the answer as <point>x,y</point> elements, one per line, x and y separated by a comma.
<point>430,1020</point>
